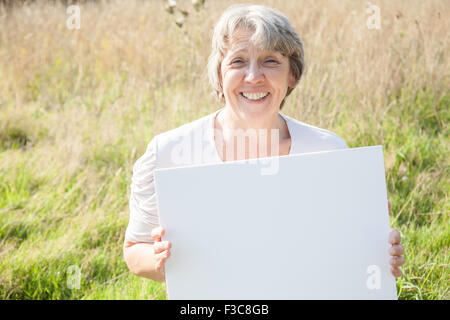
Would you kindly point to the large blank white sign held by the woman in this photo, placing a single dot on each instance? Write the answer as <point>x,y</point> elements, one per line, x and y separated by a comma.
<point>316,229</point>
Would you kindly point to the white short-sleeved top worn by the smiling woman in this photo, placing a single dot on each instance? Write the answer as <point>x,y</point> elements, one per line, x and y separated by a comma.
<point>192,144</point>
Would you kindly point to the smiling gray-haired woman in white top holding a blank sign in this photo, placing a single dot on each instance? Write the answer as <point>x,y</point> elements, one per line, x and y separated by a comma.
<point>257,60</point>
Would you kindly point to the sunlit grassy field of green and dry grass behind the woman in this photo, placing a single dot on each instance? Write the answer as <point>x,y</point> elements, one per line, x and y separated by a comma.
<point>79,106</point>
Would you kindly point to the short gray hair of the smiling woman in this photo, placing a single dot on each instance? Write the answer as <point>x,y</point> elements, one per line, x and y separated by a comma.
<point>272,32</point>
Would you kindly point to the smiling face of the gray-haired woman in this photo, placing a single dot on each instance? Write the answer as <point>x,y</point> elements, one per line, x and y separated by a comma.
<point>254,81</point>
